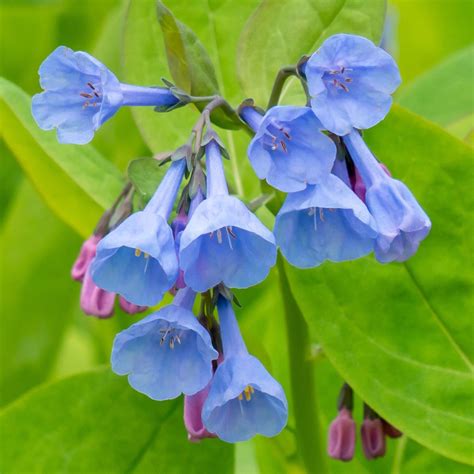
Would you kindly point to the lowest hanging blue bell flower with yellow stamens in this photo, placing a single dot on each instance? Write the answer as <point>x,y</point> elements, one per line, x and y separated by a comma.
<point>244,399</point>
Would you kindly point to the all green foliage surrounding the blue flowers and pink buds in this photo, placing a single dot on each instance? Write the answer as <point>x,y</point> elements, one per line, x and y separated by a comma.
<point>401,334</point>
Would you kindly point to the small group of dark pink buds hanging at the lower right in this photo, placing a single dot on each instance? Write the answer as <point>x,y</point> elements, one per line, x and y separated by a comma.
<point>342,432</point>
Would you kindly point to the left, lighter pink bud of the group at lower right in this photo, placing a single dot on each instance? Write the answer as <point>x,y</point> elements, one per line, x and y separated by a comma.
<point>342,434</point>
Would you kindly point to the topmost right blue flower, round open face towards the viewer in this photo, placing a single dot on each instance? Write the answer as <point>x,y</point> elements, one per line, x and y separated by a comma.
<point>350,81</point>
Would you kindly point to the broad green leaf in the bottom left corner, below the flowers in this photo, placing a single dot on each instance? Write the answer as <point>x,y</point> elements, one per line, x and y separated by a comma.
<point>95,422</point>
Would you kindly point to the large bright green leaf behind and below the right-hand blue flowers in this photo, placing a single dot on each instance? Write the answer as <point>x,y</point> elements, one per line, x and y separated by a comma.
<point>399,333</point>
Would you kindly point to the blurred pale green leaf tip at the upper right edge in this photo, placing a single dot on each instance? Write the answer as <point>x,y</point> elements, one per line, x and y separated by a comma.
<point>448,82</point>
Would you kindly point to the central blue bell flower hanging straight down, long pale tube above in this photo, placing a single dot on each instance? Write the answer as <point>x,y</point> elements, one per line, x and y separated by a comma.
<point>224,241</point>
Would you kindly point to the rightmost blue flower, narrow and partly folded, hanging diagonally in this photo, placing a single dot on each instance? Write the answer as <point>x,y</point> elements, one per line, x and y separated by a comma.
<point>401,222</point>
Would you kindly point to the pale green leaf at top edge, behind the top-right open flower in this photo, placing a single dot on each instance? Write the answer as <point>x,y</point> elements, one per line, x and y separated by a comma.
<point>279,33</point>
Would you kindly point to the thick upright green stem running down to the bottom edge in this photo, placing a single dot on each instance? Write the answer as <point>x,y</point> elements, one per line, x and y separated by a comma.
<point>308,428</point>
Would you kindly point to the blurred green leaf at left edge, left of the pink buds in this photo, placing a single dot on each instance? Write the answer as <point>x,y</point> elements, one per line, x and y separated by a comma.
<point>37,292</point>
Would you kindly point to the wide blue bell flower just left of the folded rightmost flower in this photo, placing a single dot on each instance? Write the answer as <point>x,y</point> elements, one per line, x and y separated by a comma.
<point>326,221</point>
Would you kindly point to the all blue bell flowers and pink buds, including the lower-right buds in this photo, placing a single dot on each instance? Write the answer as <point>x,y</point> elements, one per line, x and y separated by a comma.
<point>194,239</point>
